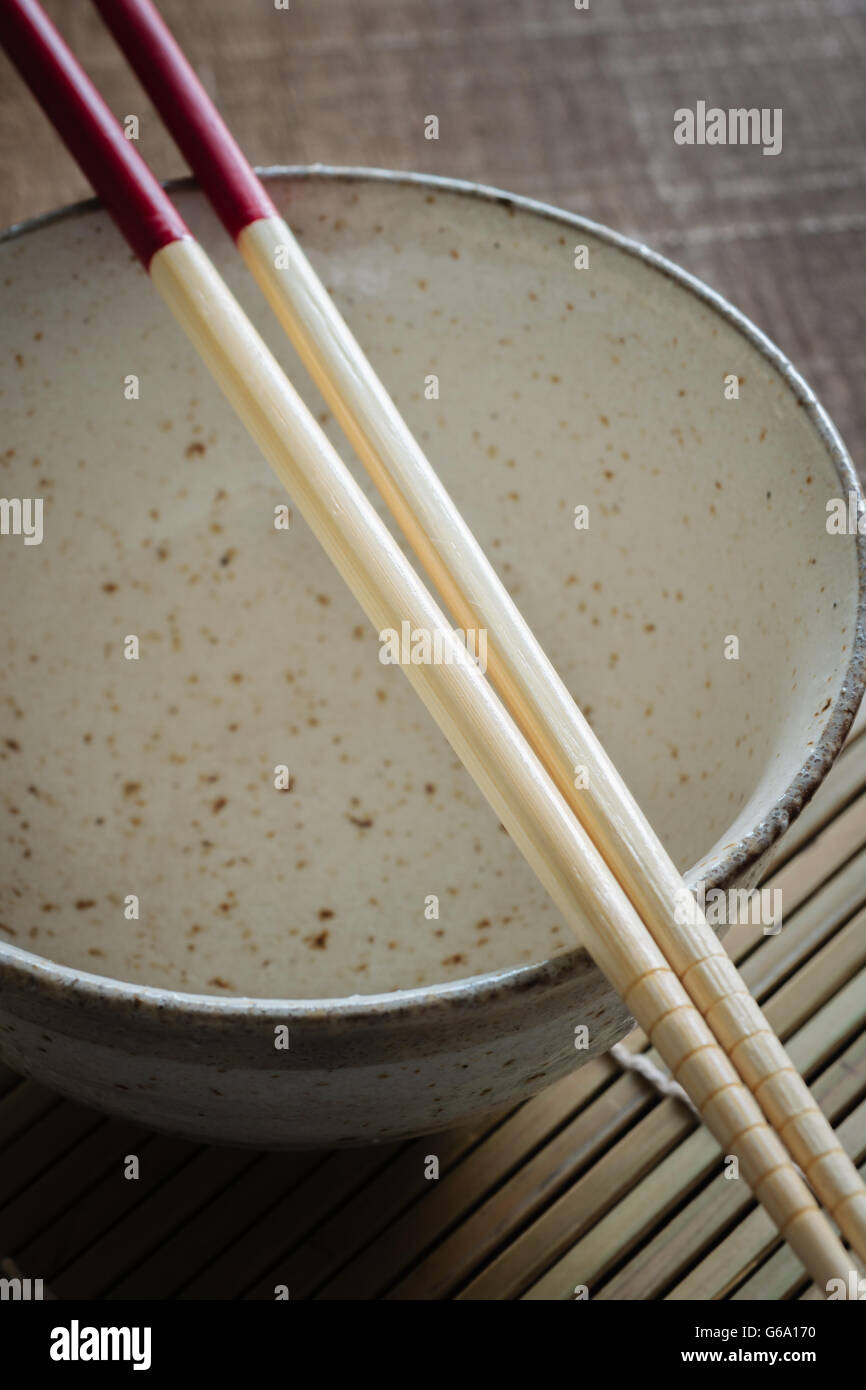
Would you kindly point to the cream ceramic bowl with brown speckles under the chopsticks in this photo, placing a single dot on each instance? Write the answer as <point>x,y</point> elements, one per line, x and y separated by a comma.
<point>365,956</point>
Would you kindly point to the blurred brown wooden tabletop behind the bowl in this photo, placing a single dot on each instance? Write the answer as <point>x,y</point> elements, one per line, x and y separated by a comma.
<point>569,106</point>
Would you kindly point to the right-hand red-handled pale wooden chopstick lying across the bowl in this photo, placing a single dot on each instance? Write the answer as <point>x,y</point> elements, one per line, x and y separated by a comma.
<point>457,565</point>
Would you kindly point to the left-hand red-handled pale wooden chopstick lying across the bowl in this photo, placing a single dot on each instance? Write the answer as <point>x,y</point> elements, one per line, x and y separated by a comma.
<point>387,587</point>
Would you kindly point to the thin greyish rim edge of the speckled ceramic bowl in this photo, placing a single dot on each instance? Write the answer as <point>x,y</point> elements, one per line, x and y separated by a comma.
<point>718,874</point>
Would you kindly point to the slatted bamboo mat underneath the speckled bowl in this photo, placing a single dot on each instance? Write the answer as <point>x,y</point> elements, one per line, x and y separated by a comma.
<point>597,1182</point>
